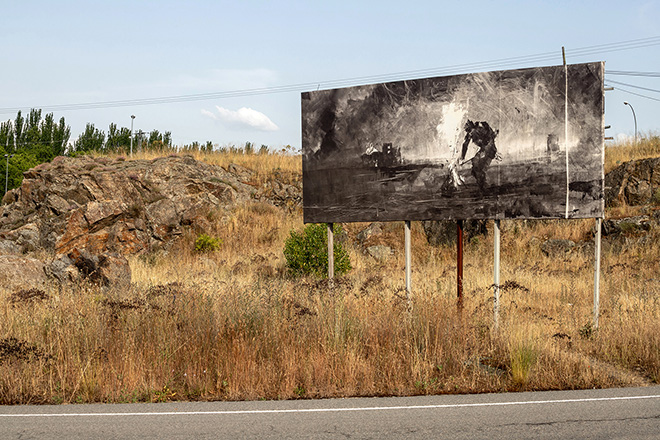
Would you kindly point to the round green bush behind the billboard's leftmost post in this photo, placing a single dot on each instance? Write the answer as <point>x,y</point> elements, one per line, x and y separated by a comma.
<point>306,252</point>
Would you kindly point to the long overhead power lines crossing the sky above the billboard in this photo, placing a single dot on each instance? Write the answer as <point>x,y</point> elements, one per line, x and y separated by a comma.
<point>458,68</point>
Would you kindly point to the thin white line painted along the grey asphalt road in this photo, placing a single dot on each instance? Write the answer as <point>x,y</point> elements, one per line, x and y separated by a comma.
<point>321,410</point>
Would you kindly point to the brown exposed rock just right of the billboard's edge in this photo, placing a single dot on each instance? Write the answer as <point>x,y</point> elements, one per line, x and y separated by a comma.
<point>633,183</point>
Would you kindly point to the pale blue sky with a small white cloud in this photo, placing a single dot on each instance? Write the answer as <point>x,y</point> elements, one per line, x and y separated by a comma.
<point>248,61</point>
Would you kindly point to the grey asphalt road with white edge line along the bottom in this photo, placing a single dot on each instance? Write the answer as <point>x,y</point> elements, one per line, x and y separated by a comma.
<point>590,414</point>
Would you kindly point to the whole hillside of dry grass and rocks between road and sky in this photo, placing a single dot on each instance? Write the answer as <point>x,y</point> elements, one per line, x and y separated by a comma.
<point>231,323</point>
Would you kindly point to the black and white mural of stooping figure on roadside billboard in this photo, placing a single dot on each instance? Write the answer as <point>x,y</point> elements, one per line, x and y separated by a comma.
<point>510,144</point>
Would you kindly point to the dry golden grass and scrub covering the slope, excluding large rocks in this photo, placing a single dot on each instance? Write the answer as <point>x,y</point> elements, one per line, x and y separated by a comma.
<point>232,324</point>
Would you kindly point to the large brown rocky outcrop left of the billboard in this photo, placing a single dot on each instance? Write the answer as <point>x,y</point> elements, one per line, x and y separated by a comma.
<point>106,206</point>
